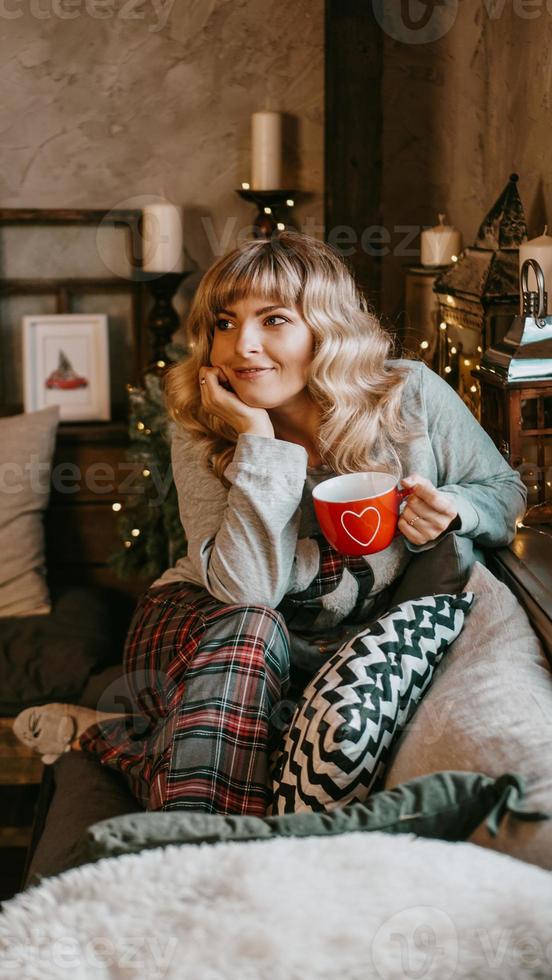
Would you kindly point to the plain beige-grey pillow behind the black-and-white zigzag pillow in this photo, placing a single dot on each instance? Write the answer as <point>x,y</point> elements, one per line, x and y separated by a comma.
<point>489,709</point>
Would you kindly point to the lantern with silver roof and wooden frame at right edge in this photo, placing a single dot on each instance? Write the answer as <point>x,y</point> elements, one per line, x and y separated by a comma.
<point>515,378</point>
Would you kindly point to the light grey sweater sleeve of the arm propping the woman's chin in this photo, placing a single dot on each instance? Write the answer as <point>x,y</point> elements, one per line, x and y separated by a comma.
<point>242,541</point>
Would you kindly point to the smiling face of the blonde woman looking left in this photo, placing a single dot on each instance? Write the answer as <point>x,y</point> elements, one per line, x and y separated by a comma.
<point>258,333</point>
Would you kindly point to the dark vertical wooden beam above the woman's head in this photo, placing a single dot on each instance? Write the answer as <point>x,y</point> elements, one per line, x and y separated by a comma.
<point>354,57</point>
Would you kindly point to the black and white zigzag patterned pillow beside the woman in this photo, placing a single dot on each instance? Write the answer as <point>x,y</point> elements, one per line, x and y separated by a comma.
<point>344,725</point>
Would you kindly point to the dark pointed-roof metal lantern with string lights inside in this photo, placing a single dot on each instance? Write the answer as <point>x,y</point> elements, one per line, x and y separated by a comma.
<point>479,294</point>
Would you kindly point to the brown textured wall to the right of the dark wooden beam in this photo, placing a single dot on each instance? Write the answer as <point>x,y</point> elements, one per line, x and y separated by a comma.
<point>460,114</point>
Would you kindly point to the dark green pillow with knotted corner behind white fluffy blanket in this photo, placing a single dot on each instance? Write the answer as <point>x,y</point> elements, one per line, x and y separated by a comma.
<point>445,805</point>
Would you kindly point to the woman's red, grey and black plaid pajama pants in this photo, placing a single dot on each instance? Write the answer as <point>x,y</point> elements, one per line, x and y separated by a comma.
<point>207,686</point>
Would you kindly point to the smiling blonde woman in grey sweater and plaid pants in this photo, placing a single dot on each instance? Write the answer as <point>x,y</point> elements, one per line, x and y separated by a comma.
<point>290,381</point>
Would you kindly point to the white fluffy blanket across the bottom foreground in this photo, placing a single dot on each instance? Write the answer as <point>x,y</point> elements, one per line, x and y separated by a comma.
<point>355,907</point>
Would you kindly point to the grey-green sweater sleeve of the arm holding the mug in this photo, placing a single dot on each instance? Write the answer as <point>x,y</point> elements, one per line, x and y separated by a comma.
<point>488,494</point>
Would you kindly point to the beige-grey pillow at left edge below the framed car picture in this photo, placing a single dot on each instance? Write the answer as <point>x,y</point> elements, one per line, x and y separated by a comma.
<point>26,449</point>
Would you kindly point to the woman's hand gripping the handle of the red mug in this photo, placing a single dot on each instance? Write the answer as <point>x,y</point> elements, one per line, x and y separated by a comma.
<point>428,512</point>
